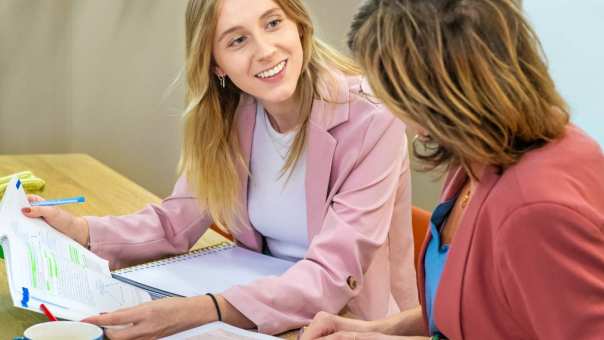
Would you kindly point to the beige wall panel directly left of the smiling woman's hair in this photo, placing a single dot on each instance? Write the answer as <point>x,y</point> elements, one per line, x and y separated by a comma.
<point>123,62</point>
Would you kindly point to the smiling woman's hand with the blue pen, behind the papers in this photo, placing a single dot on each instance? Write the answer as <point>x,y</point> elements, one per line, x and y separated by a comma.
<point>74,227</point>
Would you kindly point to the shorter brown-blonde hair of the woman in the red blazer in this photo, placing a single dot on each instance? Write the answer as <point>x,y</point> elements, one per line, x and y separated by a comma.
<point>471,72</point>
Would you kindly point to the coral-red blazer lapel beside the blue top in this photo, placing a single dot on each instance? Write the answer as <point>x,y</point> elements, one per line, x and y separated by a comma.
<point>448,301</point>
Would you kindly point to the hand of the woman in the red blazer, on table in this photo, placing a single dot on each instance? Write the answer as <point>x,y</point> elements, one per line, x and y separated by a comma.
<point>325,324</point>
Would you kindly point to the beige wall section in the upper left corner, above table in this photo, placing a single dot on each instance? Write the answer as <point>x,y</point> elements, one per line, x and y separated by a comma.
<point>35,77</point>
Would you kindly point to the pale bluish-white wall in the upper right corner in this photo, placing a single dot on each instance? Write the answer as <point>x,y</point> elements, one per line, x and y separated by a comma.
<point>572,36</point>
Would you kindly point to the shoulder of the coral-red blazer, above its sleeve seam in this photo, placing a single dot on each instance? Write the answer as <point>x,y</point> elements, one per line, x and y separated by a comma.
<point>565,176</point>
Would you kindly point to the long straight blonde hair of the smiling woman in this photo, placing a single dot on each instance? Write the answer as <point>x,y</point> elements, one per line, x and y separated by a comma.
<point>211,157</point>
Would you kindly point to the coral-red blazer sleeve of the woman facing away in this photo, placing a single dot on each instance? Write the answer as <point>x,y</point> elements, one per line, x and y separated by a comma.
<point>551,264</point>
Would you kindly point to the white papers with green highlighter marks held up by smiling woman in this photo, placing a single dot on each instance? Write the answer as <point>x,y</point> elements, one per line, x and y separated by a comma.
<point>45,266</point>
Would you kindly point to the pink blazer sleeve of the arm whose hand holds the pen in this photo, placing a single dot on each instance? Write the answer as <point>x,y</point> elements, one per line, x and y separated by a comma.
<point>169,228</point>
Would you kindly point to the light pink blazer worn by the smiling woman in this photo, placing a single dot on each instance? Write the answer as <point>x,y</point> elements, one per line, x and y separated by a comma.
<point>359,226</point>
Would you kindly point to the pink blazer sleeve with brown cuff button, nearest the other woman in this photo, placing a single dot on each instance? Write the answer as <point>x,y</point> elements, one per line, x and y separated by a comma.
<point>355,227</point>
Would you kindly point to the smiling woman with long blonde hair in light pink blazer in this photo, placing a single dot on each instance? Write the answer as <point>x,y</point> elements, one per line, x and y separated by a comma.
<point>283,148</point>
